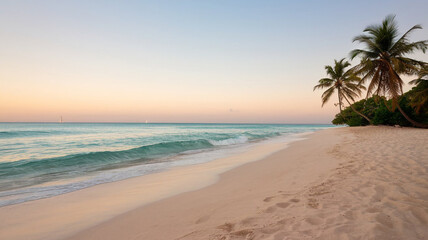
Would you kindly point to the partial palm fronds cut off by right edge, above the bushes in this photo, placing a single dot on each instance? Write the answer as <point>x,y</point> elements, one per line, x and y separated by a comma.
<point>419,99</point>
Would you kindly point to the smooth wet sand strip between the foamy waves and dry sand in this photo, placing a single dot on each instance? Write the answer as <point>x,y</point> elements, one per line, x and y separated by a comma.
<point>134,192</point>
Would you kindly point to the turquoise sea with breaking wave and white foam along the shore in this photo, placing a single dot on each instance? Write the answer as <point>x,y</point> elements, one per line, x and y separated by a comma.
<point>39,160</point>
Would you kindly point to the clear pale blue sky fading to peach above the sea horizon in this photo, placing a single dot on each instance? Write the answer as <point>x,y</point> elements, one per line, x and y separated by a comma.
<point>180,60</point>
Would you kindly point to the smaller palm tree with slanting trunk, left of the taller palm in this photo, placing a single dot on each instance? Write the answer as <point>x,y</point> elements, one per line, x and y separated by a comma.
<point>344,82</point>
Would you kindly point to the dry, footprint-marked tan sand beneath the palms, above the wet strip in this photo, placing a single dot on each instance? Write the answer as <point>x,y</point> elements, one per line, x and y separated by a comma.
<point>343,183</point>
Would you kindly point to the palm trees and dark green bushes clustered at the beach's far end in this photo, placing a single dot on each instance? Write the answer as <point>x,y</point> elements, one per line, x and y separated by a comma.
<point>383,61</point>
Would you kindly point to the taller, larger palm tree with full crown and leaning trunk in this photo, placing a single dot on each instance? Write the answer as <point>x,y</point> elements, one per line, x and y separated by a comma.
<point>383,60</point>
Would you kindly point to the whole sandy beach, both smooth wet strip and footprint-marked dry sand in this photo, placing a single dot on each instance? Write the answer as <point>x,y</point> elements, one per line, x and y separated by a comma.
<point>341,183</point>
